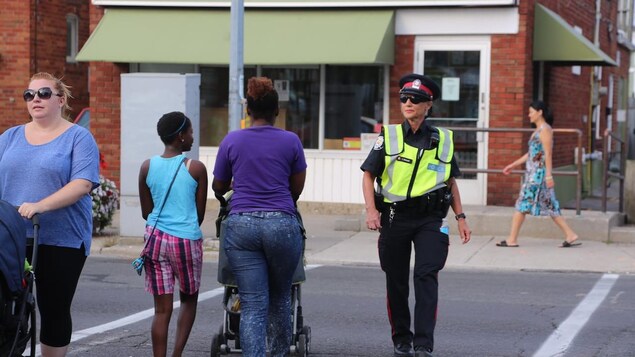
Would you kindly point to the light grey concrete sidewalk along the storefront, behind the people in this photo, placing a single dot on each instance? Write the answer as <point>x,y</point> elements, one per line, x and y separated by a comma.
<point>341,239</point>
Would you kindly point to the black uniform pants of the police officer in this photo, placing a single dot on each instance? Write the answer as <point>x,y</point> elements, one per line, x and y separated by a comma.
<point>431,252</point>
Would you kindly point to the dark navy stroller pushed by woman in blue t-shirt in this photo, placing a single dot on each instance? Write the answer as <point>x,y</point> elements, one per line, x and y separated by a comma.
<point>17,303</point>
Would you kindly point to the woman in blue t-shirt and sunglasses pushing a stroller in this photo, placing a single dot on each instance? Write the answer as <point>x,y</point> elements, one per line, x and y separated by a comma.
<point>48,167</point>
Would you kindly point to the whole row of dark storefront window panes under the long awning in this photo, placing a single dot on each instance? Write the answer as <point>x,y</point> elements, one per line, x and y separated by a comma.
<point>353,102</point>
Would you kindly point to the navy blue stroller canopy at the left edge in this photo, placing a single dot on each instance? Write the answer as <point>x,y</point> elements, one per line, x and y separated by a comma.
<point>13,242</point>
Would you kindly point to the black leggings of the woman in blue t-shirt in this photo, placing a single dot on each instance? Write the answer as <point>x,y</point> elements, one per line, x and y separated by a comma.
<point>57,272</point>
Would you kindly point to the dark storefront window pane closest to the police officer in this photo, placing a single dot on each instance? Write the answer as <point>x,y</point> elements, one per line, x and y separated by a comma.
<point>354,105</point>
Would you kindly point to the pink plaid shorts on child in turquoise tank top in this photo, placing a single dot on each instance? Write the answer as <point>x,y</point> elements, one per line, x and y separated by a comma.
<point>169,257</point>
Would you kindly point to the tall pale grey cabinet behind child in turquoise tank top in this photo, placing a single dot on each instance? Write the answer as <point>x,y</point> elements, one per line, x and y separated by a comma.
<point>145,97</point>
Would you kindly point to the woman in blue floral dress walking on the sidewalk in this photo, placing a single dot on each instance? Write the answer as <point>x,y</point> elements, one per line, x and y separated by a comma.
<point>537,196</point>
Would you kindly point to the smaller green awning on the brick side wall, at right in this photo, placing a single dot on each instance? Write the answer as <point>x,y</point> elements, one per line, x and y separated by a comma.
<point>556,41</point>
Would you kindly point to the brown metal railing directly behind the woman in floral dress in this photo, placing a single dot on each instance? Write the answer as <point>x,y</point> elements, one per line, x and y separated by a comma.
<point>577,173</point>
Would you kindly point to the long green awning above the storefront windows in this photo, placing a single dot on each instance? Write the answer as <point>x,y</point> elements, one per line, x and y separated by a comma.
<point>195,36</point>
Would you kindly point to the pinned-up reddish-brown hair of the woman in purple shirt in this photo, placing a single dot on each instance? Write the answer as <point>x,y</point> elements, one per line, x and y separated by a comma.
<point>262,99</point>
